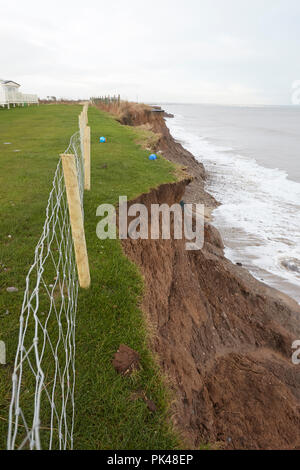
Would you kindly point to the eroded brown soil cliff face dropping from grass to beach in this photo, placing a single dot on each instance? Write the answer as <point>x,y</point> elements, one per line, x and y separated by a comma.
<point>223,338</point>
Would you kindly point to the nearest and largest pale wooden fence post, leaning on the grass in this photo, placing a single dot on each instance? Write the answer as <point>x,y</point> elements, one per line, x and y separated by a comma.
<point>76,218</point>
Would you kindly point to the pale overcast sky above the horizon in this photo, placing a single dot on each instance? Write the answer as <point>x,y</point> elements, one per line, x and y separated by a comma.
<point>220,51</point>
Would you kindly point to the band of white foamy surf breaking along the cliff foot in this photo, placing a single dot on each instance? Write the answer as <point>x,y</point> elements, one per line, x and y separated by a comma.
<point>260,213</point>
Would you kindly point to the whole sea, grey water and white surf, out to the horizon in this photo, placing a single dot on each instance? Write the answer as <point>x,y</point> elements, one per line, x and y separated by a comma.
<point>252,159</point>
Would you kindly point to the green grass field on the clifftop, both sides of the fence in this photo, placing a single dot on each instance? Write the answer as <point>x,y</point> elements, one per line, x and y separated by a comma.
<point>108,313</point>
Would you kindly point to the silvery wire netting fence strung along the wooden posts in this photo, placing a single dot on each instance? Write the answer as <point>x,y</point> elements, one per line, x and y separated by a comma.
<point>41,412</point>
